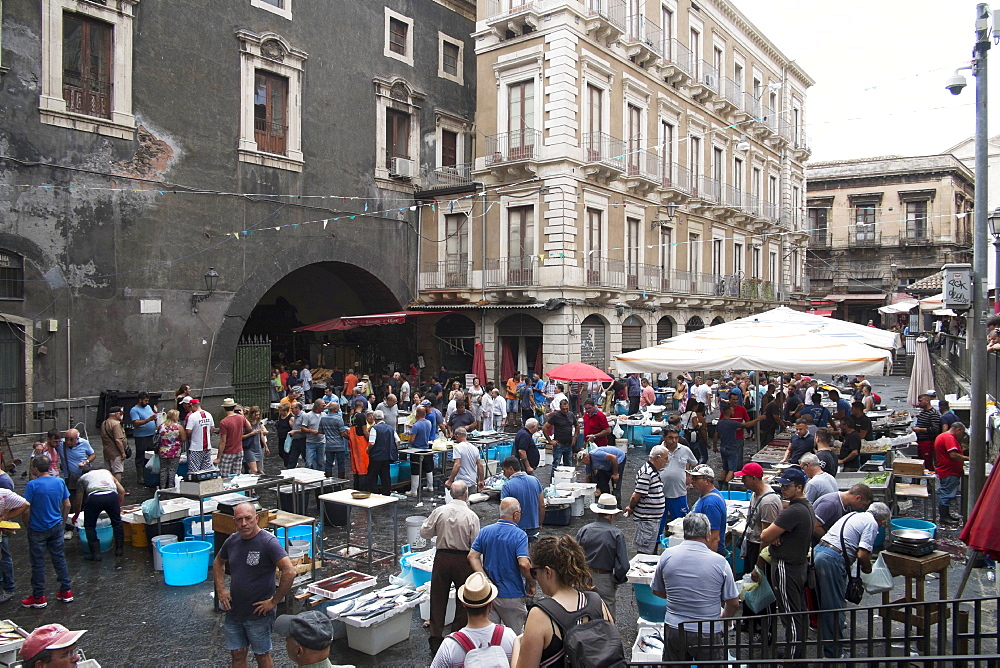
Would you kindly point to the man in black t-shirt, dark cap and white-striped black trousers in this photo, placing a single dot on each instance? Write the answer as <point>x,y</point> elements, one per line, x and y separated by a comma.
<point>789,538</point>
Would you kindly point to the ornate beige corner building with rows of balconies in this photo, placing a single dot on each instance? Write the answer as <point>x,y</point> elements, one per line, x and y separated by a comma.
<point>641,171</point>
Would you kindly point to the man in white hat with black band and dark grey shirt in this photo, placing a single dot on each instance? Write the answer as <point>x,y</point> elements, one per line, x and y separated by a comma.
<point>604,545</point>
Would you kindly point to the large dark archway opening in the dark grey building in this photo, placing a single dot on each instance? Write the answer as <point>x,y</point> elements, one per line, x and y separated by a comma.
<point>318,292</point>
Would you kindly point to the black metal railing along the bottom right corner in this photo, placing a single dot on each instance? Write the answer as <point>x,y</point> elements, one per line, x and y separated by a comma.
<point>958,632</point>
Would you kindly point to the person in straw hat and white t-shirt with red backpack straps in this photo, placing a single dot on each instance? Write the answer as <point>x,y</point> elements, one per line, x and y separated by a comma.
<point>477,596</point>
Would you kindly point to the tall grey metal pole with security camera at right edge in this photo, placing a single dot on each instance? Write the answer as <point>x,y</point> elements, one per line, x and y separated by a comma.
<point>977,445</point>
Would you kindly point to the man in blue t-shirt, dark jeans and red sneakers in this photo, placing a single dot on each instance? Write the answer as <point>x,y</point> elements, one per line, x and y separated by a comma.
<point>49,501</point>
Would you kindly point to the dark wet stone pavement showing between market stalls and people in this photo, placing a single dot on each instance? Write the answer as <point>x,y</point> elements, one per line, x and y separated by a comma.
<point>134,619</point>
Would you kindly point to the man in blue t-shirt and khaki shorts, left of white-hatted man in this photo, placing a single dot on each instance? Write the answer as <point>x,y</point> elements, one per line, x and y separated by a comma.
<point>501,551</point>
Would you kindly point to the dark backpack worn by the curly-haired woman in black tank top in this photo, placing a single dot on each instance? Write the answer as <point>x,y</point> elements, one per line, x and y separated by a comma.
<point>592,644</point>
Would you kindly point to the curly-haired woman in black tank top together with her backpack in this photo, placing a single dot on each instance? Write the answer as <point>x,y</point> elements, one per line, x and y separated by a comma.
<point>572,626</point>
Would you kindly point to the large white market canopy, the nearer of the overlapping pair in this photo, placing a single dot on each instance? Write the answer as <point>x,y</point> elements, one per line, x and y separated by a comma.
<point>757,345</point>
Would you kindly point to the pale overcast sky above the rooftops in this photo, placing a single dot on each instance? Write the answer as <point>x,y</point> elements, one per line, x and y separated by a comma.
<point>880,68</point>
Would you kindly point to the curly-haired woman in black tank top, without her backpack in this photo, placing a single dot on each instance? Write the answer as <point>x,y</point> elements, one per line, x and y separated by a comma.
<point>560,569</point>
